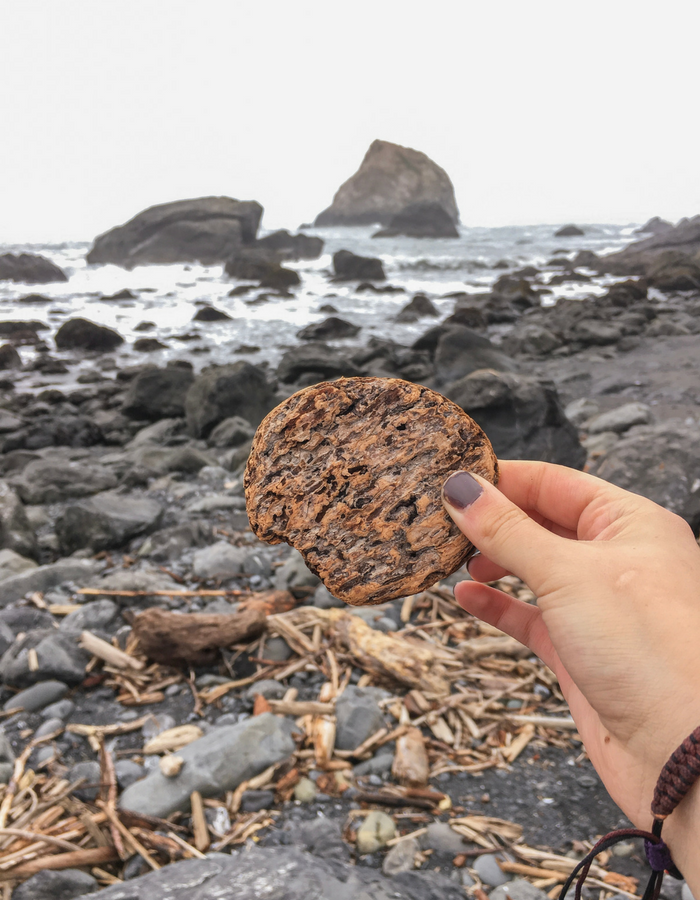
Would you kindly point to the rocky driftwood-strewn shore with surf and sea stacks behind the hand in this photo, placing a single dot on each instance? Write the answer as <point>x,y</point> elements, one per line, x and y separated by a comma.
<point>187,712</point>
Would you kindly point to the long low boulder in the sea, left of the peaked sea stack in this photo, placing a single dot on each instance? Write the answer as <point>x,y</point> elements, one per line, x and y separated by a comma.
<point>206,230</point>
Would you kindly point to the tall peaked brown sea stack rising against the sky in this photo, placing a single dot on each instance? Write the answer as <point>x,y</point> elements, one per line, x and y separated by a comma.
<point>390,179</point>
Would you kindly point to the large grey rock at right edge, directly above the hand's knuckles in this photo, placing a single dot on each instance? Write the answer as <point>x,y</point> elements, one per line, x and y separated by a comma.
<point>633,464</point>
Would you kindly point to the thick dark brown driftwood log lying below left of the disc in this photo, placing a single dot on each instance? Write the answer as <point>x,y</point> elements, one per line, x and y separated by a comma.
<point>193,638</point>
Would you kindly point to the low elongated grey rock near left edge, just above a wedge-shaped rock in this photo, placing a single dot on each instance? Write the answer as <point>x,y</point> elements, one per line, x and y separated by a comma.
<point>56,480</point>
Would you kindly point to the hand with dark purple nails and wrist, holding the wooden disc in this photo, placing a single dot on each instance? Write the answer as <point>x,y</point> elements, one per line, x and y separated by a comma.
<point>617,618</point>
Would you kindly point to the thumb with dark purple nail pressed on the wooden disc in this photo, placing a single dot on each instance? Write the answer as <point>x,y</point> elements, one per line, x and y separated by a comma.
<point>500,529</point>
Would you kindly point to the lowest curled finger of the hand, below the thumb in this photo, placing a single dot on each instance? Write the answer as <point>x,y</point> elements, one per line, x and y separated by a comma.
<point>518,619</point>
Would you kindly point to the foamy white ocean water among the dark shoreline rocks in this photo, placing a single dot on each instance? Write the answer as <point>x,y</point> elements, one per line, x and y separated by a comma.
<point>169,296</point>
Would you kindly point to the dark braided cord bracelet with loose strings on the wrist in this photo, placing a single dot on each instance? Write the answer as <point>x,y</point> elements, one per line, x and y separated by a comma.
<point>677,777</point>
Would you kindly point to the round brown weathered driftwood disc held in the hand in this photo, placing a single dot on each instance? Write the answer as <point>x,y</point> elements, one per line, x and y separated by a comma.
<point>350,473</point>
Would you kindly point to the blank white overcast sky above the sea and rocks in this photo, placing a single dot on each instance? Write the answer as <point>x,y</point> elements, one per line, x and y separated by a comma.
<point>539,111</point>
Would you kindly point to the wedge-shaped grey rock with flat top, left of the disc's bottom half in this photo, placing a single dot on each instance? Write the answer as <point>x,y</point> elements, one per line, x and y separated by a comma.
<point>106,521</point>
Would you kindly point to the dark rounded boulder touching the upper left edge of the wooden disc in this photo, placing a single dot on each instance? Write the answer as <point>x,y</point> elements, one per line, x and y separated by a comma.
<point>240,389</point>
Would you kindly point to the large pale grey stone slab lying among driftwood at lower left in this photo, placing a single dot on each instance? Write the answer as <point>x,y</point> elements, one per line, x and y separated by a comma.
<point>217,762</point>
